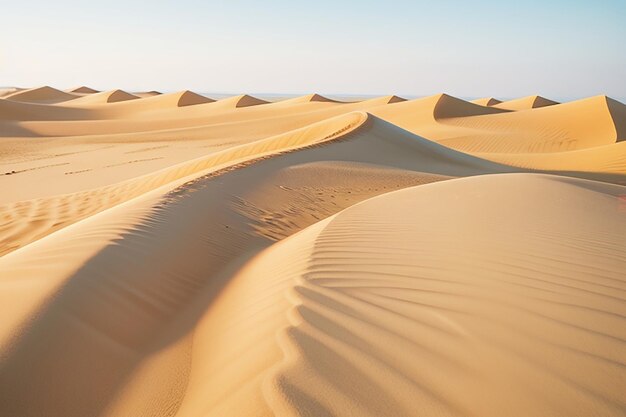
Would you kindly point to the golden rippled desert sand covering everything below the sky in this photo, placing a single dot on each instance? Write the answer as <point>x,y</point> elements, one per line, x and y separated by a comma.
<point>174,255</point>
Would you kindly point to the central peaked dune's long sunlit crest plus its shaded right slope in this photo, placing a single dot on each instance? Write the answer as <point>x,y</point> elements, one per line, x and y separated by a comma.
<point>26,221</point>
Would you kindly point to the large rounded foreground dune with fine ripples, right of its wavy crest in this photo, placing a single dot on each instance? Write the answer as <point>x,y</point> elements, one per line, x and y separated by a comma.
<point>381,325</point>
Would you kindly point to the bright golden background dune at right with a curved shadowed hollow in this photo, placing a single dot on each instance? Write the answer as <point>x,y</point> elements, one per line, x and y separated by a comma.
<point>587,123</point>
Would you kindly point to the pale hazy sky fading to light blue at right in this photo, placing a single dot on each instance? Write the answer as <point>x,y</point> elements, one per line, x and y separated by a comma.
<point>561,49</point>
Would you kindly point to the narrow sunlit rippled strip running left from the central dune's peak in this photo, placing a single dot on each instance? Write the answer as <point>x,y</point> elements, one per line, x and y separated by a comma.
<point>27,221</point>
